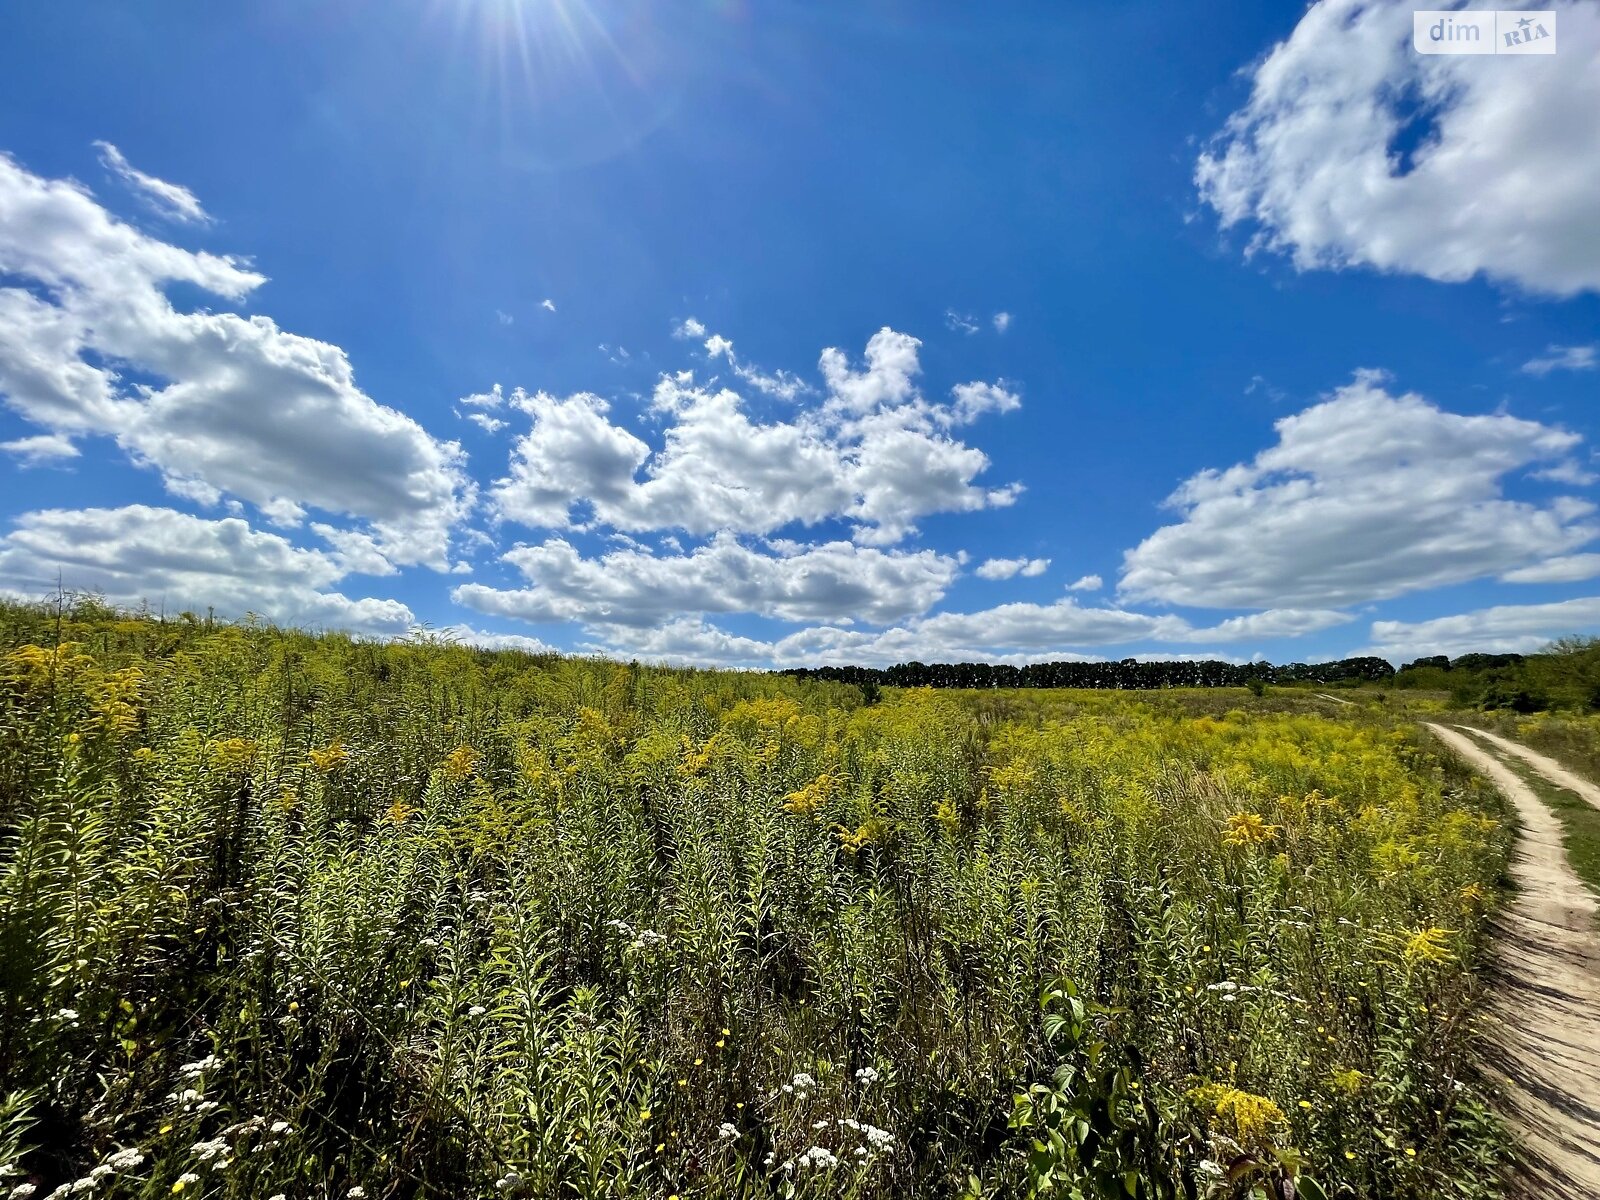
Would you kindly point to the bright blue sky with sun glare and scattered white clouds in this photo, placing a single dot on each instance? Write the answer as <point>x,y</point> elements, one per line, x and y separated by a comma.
<point>799,334</point>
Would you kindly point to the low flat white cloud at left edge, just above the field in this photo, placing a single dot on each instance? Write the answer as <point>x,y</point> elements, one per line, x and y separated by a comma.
<point>174,561</point>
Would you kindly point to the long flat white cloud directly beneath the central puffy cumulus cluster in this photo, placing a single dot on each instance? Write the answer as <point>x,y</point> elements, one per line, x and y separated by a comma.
<point>833,582</point>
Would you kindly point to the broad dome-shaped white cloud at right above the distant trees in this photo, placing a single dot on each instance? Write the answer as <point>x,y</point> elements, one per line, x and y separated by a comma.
<point>1366,495</point>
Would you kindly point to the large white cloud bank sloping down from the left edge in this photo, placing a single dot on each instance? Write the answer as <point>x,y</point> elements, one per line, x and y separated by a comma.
<point>218,404</point>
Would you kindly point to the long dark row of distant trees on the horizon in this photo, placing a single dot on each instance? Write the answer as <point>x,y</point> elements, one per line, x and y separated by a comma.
<point>1129,673</point>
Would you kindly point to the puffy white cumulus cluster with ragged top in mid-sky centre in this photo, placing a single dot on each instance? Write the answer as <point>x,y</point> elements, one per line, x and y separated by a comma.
<point>876,454</point>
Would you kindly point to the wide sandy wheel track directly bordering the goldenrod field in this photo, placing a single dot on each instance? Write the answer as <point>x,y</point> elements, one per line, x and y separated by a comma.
<point>1543,1017</point>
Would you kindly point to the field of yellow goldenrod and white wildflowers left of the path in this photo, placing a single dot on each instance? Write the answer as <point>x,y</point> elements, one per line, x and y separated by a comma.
<point>289,916</point>
